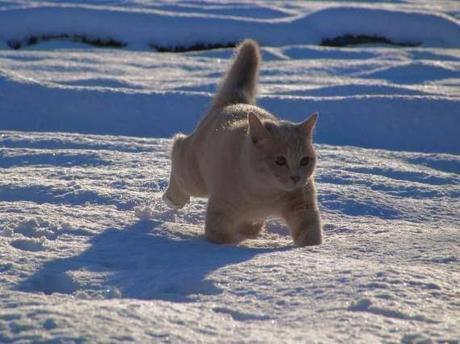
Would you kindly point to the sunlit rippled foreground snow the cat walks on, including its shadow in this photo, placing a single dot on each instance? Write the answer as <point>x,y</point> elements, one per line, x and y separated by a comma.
<point>112,249</point>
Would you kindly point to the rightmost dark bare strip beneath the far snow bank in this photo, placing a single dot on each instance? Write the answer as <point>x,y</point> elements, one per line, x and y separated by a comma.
<point>348,39</point>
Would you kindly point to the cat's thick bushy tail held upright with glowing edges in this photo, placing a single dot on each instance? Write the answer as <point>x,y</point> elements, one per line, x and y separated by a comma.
<point>240,83</point>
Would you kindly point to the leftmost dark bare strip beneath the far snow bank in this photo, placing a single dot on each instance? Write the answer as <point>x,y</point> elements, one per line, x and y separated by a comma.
<point>96,42</point>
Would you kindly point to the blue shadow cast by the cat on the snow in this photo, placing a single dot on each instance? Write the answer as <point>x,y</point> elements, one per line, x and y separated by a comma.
<point>141,261</point>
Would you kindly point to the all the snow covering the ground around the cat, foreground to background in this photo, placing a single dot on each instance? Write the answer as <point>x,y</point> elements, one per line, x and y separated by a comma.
<point>89,252</point>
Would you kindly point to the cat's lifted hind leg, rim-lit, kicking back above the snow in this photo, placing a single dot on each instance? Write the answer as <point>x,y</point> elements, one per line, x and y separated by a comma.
<point>175,196</point>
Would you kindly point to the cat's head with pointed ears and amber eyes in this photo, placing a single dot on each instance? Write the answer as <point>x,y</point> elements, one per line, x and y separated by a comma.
<point>282,153</point>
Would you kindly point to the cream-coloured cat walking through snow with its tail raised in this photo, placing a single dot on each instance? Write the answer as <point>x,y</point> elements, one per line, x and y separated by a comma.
<point>250,164</point>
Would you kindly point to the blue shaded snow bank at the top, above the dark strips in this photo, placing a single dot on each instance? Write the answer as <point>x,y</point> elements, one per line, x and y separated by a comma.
<point>141,28</point>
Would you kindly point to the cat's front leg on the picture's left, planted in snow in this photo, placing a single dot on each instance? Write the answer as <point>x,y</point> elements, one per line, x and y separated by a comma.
<point>220,223</point>
